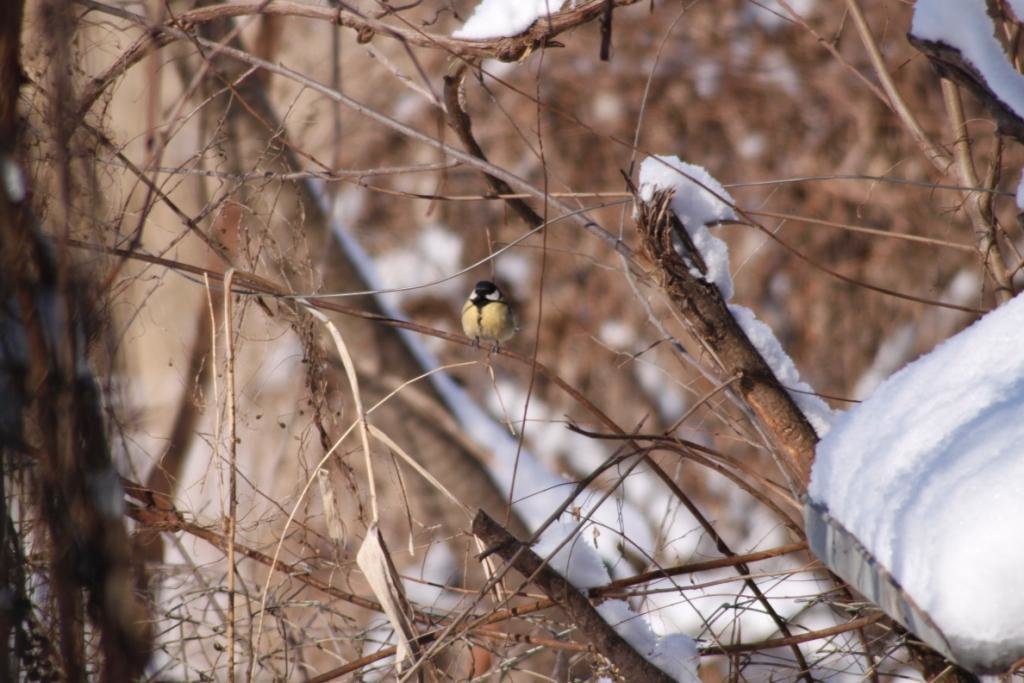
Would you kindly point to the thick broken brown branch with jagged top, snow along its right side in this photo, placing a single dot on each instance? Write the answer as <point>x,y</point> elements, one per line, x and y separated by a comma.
<point>675,204</point>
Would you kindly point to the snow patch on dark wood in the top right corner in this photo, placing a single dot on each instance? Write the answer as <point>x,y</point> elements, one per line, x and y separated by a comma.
<point>966,26</point>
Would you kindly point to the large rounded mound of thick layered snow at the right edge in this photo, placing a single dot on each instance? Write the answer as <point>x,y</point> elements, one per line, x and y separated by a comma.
<point>929,476</point>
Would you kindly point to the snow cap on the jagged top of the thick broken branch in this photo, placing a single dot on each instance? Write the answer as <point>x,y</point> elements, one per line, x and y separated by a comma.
<point>700,200</point>
